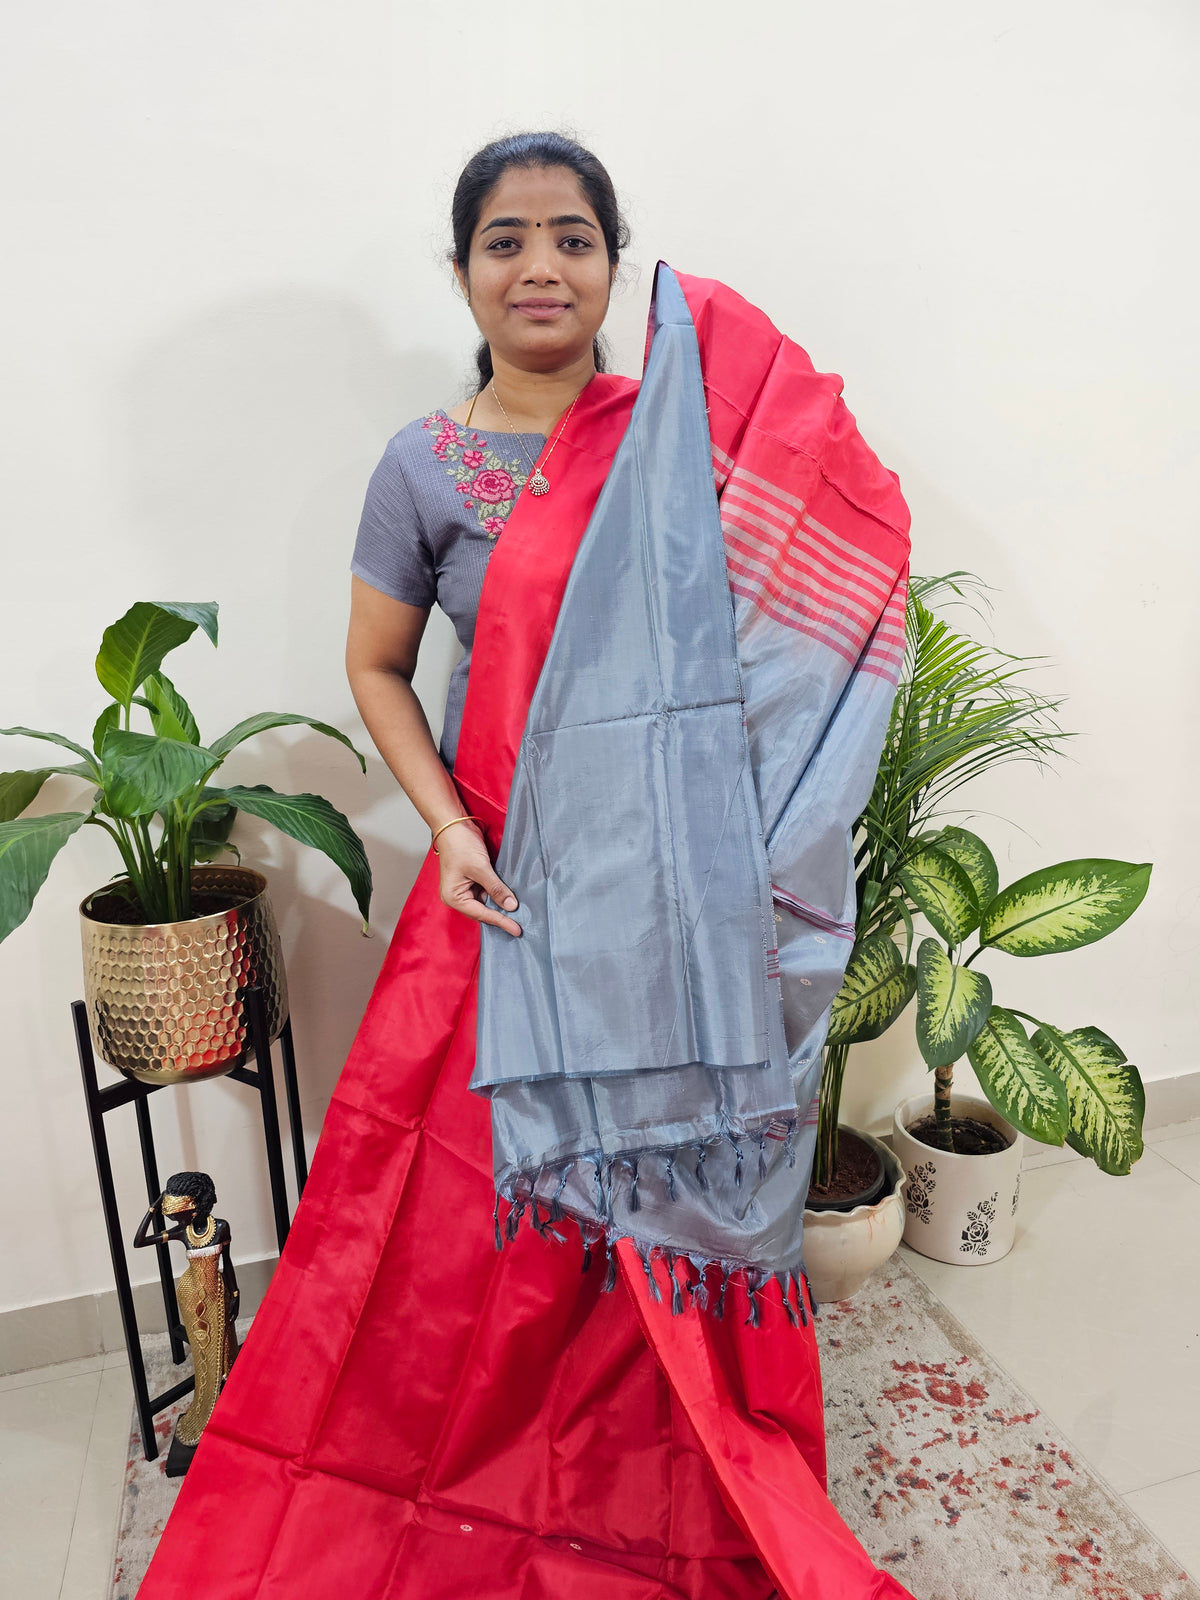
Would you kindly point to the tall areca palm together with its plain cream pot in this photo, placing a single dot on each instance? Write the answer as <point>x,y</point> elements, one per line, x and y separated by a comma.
<point>961,710</point>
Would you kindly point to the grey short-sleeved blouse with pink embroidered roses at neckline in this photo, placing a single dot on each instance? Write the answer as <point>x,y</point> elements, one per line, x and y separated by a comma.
<point>434,508</point>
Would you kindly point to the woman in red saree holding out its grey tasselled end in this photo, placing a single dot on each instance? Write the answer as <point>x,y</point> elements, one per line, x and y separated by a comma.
<point>434,1401</point>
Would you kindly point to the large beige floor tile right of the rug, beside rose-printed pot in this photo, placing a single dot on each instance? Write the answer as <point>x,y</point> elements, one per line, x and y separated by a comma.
<point>1097,1313</point>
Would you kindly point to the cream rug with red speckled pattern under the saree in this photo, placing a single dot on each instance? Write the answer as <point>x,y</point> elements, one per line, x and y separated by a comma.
<point>946,1471</point>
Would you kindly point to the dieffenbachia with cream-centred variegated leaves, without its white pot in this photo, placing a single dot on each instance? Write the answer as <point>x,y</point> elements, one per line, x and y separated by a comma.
<point>1060,1086</point>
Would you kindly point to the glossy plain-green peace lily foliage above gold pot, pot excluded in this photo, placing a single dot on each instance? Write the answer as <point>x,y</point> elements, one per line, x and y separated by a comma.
<point>162,778</point>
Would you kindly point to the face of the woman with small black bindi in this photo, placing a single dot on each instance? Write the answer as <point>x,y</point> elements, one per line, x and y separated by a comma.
<point>538,271</point>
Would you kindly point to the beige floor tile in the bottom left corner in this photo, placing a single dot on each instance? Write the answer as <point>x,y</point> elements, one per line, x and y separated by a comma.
<point>44,1446</point>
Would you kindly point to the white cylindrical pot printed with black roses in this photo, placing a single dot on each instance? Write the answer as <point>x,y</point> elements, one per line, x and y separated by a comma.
<point>961,1209</point>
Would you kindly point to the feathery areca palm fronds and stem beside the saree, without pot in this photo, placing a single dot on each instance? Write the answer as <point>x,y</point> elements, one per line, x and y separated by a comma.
<point>962,710</point>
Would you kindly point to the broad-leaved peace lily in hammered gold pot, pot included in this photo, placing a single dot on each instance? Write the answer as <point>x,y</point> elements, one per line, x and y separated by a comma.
<point>172,945</point>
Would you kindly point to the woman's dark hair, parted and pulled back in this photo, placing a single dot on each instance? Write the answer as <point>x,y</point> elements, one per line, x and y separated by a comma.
<point>486,170</point>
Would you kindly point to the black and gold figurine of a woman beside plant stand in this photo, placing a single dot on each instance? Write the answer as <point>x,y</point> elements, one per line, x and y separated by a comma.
<point>209,1297</point>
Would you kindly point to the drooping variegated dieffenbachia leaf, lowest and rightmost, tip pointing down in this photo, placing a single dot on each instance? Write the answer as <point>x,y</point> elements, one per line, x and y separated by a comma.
<point>1105,1092</point>
